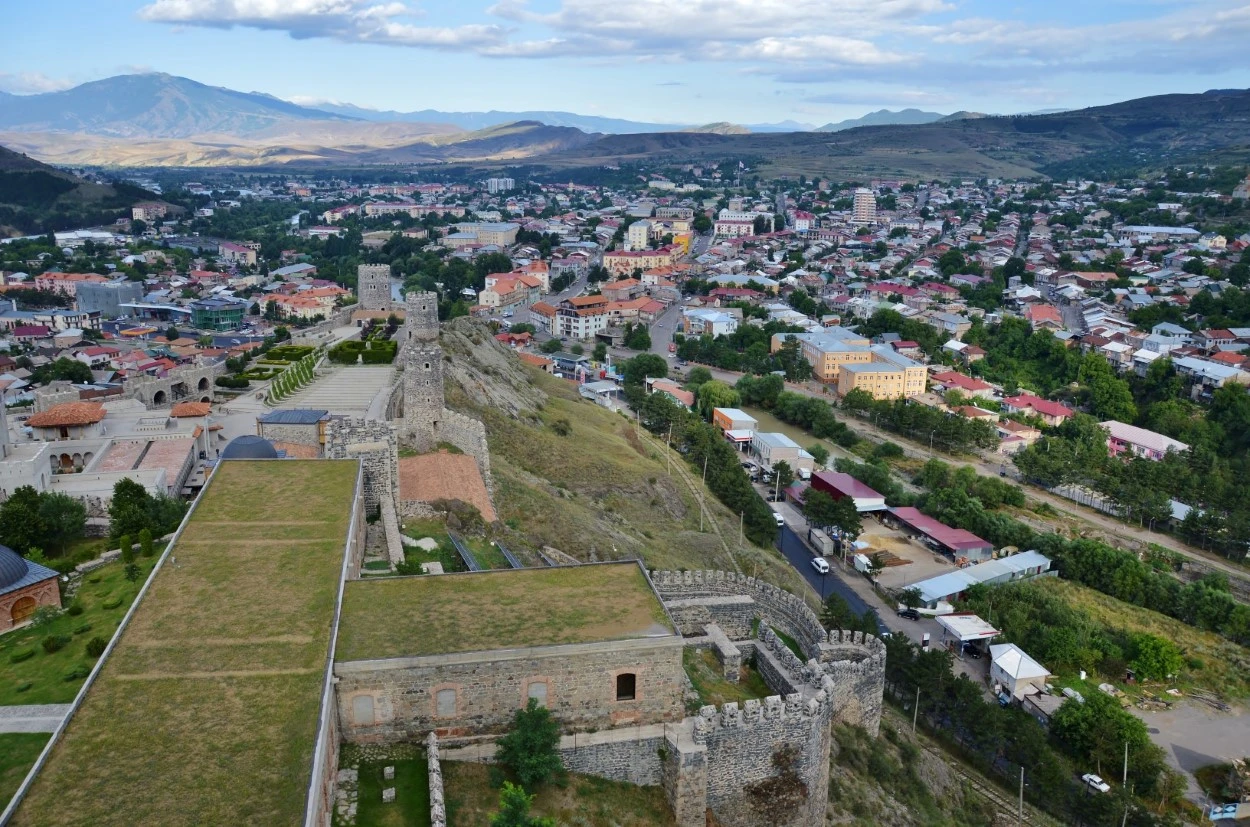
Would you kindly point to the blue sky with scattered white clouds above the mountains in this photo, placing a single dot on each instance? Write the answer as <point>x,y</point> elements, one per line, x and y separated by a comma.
<point>674,62</point>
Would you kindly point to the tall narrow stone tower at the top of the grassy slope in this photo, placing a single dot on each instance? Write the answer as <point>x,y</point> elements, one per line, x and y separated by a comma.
<point>423,372</point>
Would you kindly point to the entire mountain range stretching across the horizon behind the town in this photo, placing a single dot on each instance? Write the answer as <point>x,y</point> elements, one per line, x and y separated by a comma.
<point>162,121</point>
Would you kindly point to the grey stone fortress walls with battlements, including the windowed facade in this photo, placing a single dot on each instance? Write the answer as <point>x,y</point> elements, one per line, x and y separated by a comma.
<point>709,761</point>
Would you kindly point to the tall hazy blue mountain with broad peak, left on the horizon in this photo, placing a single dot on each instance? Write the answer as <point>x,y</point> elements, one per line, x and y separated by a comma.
<point>153,106</point>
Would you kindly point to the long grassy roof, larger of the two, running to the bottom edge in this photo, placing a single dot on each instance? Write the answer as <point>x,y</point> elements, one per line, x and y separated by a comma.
<point>207,711</point>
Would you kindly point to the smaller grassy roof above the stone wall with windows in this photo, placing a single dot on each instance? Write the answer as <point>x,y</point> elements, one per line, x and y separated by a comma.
<point>511,609</point>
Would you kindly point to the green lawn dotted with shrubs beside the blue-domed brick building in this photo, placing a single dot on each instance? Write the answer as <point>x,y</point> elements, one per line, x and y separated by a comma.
<point>46,673</point>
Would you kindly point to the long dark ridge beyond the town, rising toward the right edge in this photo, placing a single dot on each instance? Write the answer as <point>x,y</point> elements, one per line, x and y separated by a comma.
<point>1116,137</point>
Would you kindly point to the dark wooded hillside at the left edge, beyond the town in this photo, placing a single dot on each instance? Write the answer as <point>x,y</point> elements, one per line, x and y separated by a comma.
<point>37,198</point>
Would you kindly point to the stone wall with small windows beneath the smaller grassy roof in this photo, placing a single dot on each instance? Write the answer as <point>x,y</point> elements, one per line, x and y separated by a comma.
<point>491,686</point>
